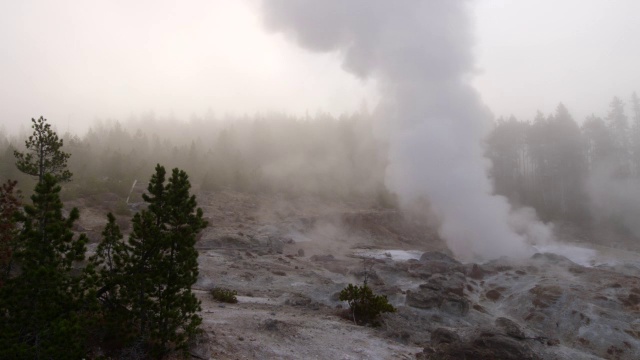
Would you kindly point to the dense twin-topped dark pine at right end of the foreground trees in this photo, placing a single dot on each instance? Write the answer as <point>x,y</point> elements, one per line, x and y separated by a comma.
<point>162,265</point>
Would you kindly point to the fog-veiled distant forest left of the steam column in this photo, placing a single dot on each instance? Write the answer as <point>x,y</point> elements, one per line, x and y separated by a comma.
<point>321,155</point>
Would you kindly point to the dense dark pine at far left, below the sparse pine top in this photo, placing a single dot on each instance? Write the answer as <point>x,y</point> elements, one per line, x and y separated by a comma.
<point>41,305</point>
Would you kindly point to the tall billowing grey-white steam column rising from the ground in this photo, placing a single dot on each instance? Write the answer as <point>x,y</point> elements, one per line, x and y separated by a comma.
<point>419,52</point>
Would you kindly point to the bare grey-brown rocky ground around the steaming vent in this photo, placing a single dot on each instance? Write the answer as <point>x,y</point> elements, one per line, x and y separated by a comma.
<point>289,257</point>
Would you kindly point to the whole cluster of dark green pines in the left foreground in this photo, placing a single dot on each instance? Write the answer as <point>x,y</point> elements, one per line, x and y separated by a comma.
<point>131,298</point>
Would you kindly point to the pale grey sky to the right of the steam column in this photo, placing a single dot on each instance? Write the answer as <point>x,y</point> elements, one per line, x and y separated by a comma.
<point>533,54</point>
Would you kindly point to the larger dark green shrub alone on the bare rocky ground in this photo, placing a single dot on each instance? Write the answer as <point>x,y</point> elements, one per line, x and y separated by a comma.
<point>365,306</point>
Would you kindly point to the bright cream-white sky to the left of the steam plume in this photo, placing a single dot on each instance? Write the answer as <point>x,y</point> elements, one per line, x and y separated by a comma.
<point>75,62</point>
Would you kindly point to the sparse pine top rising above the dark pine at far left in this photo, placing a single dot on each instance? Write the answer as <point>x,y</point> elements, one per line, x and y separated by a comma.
<point>44,155</point>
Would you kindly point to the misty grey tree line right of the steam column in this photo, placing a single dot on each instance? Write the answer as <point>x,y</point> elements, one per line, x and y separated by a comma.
<point>548,163</point>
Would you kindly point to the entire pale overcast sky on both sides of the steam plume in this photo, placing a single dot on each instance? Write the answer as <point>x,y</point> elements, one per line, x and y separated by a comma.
<point>74,61</point>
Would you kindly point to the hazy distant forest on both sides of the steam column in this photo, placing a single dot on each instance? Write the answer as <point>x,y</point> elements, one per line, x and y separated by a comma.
<point>586,173</point>
